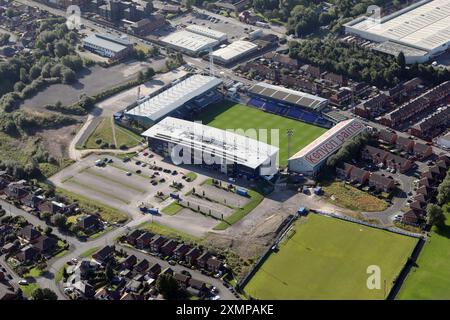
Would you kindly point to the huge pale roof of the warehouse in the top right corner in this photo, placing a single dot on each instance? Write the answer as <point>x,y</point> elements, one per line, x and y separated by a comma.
<point>425,25</point>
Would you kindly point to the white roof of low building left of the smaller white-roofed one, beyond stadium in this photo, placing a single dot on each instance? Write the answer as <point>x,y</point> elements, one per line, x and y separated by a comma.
<point>189,41</point>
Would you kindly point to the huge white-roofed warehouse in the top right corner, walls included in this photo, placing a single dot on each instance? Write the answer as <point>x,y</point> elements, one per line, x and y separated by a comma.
<point>421,30</point>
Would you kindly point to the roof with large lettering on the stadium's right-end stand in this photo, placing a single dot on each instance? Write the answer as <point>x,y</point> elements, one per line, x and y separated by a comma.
<point>329,142</point>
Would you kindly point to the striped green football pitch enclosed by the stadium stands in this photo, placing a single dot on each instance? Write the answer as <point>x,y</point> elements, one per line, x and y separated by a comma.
<point>228,115</point>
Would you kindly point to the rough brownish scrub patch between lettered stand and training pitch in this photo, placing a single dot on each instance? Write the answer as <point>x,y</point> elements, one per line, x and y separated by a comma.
<point>352,198</point>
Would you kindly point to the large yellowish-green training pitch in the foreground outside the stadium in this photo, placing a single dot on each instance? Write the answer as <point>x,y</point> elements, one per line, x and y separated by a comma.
<point>327,258</point>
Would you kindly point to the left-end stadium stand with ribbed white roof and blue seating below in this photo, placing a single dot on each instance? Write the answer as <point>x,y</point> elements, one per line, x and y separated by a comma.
<point>194,92</point>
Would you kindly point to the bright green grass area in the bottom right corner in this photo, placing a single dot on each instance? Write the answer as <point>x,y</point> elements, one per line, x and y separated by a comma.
<point>430,279</point>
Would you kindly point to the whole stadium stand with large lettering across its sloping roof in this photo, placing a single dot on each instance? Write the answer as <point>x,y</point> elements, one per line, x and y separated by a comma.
<point>309,159</point>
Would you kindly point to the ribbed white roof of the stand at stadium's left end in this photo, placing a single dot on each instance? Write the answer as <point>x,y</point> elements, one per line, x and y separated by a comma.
<point>174,97</point>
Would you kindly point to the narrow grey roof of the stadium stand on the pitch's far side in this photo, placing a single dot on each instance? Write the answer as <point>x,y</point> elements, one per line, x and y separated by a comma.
<point>301,99</point>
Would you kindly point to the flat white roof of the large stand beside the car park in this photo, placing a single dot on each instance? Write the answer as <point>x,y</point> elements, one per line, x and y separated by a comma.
<point>227,145</point>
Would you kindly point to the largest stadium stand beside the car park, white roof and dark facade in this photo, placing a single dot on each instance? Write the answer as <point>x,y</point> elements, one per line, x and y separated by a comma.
<point>189,142</point>
